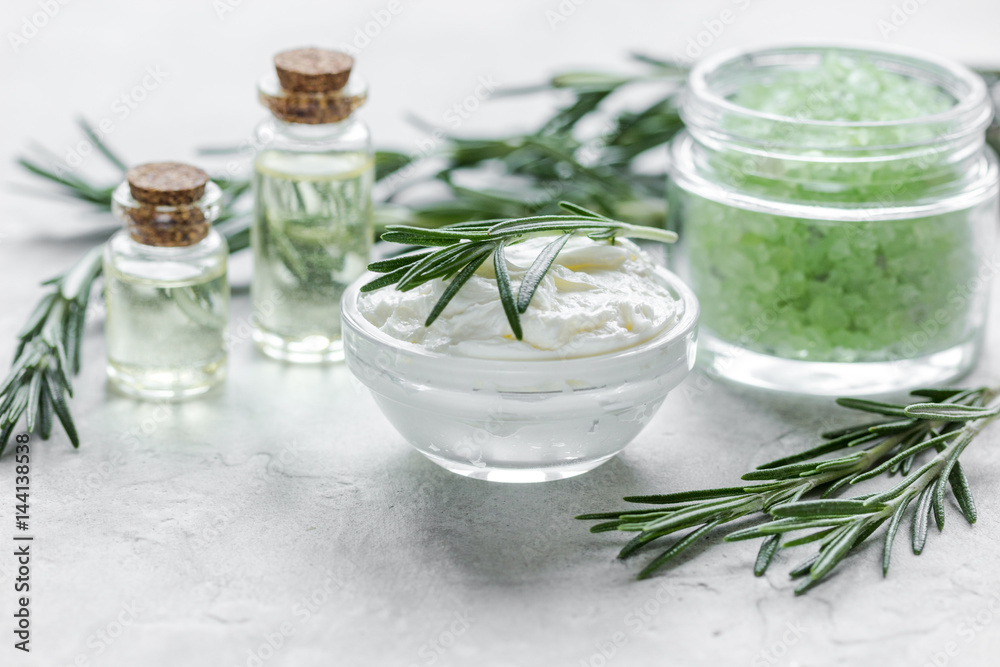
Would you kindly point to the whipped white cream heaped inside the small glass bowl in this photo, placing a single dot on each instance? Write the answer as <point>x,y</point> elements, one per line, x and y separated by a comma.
<point>596,298</point>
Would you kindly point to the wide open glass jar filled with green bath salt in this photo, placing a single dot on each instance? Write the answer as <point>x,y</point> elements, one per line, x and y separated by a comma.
<point>838,212</point>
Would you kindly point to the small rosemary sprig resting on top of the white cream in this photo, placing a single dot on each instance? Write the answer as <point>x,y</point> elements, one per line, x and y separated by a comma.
<point>462,248</point>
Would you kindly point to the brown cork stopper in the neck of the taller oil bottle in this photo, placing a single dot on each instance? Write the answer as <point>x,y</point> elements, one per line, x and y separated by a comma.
<point>313,86</point>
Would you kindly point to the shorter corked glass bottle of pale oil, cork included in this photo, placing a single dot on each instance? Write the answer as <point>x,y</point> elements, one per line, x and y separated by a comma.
<point>166,291</point>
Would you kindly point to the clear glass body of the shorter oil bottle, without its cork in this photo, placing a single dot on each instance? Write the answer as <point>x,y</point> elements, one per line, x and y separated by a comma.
<point>167,307</point>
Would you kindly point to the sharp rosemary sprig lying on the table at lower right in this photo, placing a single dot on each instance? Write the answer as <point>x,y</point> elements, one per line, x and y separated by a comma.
<point>795,494</point>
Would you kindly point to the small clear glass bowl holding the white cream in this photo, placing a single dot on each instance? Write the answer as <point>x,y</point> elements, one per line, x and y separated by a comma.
<point>520,421</point>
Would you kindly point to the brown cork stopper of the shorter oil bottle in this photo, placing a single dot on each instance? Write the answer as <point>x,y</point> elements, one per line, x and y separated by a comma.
<point>166,208</point>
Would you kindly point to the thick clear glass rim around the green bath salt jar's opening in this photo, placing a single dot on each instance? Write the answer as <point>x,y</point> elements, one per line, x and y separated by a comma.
<point>971,112</point>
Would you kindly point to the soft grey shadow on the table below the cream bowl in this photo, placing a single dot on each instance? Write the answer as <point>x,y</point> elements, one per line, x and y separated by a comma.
<point>504,532</point>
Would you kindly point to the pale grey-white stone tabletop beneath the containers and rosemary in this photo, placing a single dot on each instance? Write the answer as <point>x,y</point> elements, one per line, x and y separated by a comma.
<point>282,521</point>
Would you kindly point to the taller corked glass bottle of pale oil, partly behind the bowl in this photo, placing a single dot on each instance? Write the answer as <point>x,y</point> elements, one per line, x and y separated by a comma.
<point>312,229</point>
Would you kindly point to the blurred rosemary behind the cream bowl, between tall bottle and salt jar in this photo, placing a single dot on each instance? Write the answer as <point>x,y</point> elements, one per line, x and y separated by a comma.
<point>582,152</point>
